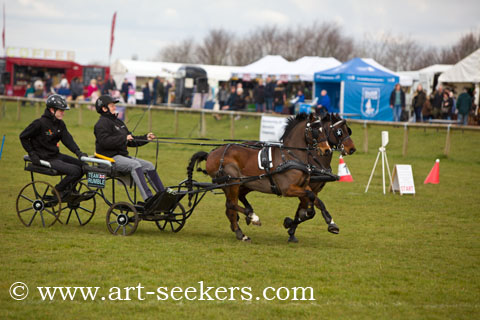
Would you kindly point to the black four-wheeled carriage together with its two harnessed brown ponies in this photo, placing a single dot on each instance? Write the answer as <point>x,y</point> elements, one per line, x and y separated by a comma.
<point>299,167</point>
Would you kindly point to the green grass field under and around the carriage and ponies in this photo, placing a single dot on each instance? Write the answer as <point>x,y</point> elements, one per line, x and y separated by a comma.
<point>396,257</point>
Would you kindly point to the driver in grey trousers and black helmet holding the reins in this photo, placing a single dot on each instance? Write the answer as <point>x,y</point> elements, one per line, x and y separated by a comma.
<point>113,138</point>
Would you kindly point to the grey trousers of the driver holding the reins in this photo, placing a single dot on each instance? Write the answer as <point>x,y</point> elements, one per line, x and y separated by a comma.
<point>138,169</point>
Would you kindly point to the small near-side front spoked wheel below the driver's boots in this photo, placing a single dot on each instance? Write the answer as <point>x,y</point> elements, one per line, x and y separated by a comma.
<point>122,219</point>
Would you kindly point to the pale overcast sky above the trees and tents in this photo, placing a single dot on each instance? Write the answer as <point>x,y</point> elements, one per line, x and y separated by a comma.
<point>144,26</point>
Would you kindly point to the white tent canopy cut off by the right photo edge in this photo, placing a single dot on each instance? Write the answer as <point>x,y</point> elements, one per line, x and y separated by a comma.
<point>466,70</point>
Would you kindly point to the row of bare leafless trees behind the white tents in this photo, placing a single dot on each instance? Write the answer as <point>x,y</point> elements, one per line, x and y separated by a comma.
<point>327,39</point>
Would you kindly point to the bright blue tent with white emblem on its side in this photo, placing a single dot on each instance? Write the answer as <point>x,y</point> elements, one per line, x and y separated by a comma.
<point>358,89</point>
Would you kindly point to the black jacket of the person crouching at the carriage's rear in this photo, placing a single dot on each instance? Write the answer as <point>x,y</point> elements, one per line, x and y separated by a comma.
<point>42,135</point>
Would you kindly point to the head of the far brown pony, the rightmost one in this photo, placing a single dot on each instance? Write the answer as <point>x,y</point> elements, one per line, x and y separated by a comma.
<point>338,133</point>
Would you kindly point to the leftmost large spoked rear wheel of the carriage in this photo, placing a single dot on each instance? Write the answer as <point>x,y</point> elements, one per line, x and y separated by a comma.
<point>38,203</point>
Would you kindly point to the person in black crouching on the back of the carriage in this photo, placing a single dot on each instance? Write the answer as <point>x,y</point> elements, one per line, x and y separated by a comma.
<point>40,139</point>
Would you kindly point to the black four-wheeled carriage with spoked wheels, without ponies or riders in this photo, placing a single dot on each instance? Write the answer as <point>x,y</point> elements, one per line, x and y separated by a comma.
<point>39,203</point>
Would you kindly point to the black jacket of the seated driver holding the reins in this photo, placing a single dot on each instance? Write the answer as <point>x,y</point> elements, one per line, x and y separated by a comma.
<point>111,136</point>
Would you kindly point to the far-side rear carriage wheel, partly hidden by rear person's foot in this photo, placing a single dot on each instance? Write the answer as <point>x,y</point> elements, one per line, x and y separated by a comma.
<point>83,208</point>
